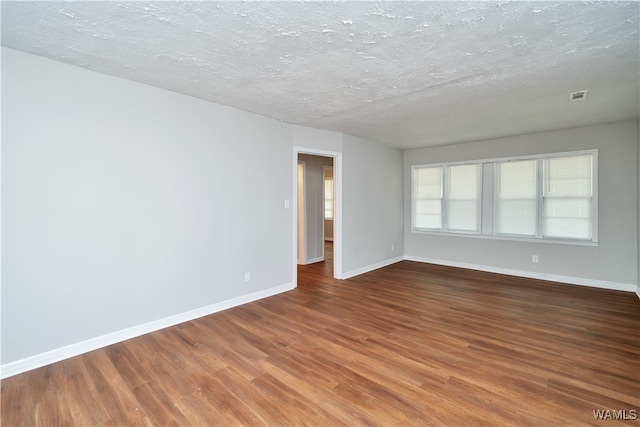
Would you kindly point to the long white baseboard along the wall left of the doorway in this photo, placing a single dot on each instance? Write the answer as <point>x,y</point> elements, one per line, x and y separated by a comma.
<point>37,361</point>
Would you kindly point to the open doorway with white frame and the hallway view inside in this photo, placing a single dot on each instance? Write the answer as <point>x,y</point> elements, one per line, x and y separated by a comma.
<point>317,214</point>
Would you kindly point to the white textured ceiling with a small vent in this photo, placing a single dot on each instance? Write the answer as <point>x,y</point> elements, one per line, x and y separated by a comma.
<point>407,74</point>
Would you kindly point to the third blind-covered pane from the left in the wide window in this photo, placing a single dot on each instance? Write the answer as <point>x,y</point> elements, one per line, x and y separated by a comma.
<point>516,198</point>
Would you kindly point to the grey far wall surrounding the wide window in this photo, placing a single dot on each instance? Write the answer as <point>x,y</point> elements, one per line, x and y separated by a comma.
<point>613,263</point>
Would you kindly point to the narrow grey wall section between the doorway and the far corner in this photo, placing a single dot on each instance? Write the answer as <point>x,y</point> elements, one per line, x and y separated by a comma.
<point>372,205</point>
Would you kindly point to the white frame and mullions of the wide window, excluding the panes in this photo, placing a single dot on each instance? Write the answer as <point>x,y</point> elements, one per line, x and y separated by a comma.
<point>488,200</point>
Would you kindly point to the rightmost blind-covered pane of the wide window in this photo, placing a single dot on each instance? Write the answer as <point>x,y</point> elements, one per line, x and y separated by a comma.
<point>568,186</point>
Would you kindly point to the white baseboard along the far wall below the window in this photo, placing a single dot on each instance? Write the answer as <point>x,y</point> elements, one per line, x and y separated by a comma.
<point>604,284</point>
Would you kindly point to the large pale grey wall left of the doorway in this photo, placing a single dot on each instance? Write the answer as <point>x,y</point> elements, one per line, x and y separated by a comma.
<point>124,204</point>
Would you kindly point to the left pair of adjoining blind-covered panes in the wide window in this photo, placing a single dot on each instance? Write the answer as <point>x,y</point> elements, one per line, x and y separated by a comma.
<point>447,198</point>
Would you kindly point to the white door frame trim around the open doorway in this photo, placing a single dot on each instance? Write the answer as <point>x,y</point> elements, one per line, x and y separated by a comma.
<point>337,206</point>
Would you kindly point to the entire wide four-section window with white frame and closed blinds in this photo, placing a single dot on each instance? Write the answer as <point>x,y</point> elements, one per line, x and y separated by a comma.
<point>550,197</point>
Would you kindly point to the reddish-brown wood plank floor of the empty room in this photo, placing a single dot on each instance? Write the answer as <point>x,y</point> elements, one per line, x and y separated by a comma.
<point>410,344</point>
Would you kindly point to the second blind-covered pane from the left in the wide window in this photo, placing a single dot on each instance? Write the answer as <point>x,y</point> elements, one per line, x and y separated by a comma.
<point>463,198</point>
